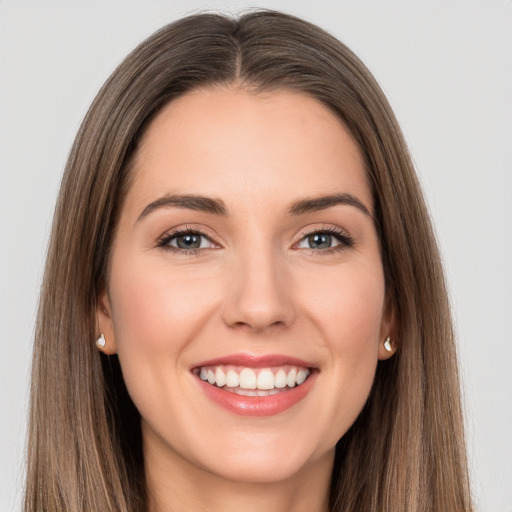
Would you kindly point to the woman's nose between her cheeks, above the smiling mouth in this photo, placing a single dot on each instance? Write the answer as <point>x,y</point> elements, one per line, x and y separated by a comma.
<point>259,293</point>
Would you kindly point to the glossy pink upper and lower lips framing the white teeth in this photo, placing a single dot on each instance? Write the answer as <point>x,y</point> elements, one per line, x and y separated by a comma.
<point>257,405</point>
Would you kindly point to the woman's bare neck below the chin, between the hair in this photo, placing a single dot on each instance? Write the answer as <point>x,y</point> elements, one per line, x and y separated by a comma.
<point>184,487</point>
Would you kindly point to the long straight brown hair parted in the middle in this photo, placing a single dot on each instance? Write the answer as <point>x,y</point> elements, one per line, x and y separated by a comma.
<point>406,450</point>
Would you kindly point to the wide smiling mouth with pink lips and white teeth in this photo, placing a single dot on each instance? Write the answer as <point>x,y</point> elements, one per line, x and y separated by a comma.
<point>255,385</point>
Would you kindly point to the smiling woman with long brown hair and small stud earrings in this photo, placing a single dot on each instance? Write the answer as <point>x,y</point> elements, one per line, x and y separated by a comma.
<point>241,231</point>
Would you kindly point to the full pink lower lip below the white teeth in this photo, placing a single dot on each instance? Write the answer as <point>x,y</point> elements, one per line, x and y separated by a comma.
<point>258,405</point>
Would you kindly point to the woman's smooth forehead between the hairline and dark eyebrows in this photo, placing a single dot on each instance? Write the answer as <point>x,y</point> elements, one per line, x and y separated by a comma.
<point>238,145</point>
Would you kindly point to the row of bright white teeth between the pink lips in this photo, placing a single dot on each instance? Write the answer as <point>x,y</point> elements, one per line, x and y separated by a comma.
<point>253,382</point>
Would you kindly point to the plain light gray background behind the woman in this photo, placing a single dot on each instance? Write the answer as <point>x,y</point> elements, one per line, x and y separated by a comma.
<point>446,67</point>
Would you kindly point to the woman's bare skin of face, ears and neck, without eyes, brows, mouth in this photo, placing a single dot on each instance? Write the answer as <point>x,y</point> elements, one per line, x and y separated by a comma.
<point>256,286</point>
